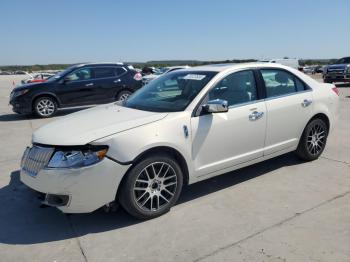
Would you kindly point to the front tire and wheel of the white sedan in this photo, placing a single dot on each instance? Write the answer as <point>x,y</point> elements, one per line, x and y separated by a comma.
<point>151,187</point>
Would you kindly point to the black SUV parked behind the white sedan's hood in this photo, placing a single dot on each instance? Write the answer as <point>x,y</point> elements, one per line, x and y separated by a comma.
<point>78,85</point>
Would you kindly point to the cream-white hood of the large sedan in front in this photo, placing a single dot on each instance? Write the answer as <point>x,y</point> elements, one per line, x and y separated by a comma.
<point>88,125</point>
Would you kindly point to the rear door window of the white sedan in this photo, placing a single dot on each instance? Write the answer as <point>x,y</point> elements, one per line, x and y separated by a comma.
<point>280,82</point>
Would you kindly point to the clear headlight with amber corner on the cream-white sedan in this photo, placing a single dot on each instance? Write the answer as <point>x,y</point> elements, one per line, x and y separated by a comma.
<point>76,158</point>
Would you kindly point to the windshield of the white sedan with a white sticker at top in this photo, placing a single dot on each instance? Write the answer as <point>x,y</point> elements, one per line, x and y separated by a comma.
<point>171,92</point>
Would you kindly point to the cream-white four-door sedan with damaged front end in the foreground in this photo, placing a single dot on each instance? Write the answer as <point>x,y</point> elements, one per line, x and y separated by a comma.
<point>208,120</point>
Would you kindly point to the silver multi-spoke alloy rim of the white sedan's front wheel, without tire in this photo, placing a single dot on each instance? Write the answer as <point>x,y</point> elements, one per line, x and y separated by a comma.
<point>155,186</point>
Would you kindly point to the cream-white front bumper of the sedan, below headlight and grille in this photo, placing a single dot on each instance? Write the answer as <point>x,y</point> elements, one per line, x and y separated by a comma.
<point>86,189</point>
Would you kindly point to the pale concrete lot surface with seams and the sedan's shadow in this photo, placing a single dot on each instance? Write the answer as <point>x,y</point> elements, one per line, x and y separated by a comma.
<point>279,210</point>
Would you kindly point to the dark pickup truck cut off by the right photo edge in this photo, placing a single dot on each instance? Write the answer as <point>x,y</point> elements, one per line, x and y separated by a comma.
<point>337,72</point>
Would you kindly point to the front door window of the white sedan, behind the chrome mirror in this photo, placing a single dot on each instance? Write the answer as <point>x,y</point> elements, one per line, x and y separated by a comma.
<point>236,88</point>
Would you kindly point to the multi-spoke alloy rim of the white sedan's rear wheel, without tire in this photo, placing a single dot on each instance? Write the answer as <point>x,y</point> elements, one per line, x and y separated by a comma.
<point>316,139</point>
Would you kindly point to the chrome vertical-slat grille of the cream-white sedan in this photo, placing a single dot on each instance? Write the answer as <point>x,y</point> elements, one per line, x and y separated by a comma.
<point>35,158</point>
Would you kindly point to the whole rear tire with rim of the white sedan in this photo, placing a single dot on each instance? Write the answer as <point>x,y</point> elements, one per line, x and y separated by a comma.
<point>313,140</point>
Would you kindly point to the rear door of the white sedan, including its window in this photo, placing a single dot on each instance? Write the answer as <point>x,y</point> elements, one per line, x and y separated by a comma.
<point>289,108</point>
